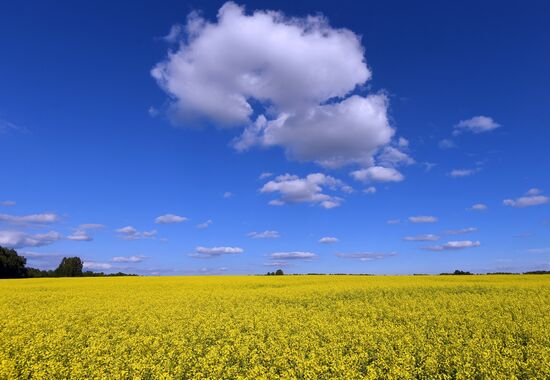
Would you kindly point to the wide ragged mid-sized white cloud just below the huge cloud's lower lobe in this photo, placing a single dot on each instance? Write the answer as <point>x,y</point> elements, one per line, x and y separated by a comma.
<point>293,189</point>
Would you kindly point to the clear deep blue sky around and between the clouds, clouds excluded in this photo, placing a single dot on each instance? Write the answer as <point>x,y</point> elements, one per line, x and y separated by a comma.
<point>75,79</point>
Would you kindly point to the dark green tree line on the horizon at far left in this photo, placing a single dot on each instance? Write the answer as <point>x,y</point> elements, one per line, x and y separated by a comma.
<point>12,265</point>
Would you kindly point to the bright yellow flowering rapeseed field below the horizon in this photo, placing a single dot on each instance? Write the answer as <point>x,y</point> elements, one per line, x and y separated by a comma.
<point>305,327</point>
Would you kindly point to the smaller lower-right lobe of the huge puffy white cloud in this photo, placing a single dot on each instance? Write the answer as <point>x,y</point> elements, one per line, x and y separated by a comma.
<point>332,135</point>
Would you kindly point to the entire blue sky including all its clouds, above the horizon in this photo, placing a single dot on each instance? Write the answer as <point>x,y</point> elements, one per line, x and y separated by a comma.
<point>361,118</point>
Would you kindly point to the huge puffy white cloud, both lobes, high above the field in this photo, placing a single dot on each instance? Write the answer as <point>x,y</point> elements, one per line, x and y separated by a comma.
<point>292,67</point>
